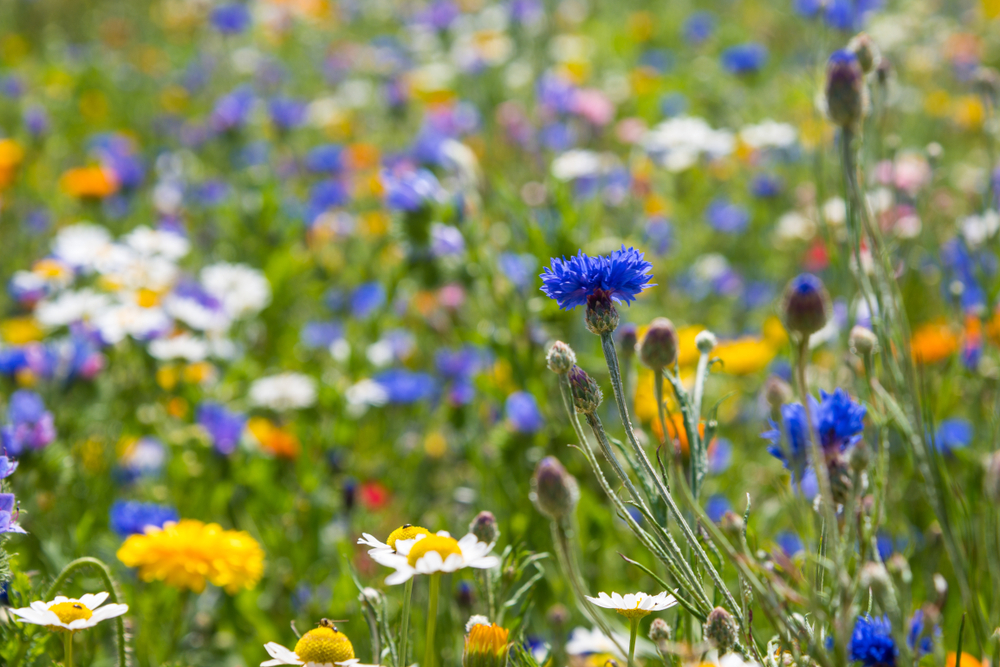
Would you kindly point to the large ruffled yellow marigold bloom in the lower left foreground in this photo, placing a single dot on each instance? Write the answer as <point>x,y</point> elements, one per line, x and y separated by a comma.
<point>189,553</point>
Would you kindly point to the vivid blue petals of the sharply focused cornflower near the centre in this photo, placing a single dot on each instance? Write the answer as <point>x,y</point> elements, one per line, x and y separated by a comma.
<point>621,275</point>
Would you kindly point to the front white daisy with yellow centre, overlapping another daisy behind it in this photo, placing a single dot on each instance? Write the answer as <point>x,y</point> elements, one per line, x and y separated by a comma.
<point>431,554</point>
